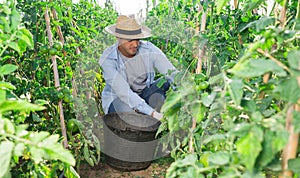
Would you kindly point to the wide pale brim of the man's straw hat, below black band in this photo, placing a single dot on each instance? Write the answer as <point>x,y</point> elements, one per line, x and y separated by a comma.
<point>146,32</point>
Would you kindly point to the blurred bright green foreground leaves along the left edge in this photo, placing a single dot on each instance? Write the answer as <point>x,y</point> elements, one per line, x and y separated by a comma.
<point>43,151</point>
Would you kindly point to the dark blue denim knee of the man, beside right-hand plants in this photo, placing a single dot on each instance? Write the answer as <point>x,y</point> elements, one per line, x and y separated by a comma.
<point>154,95</point>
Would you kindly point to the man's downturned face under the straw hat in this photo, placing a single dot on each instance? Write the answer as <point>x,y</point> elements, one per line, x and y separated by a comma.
<point>128,47</point>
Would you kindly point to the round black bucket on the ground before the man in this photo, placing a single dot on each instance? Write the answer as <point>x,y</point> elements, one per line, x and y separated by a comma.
<point>129,140</point>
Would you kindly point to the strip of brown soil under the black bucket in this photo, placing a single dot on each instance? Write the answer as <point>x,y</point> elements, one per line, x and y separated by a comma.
<point>157,169</point>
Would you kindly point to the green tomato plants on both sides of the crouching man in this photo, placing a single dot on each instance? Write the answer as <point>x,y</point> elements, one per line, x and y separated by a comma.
<point>237,96</point>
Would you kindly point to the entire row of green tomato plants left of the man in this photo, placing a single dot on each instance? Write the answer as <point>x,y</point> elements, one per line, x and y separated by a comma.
<point>49,53</point>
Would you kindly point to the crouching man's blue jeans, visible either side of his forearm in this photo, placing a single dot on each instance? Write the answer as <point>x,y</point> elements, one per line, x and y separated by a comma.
<point>153,95</point>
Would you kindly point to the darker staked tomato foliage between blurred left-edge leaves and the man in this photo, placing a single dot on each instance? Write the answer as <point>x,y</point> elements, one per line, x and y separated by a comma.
<point>81,25</point>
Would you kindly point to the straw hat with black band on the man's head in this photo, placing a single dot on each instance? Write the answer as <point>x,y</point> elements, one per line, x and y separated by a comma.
<point>128,28</point>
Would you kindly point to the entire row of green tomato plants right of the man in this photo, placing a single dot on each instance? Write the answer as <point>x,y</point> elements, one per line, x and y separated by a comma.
<point>239,110</point>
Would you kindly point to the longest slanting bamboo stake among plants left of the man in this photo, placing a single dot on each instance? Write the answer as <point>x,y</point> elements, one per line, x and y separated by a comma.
<point>56,80</point>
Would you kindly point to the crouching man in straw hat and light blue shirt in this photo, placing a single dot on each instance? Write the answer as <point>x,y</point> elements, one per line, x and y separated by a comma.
<point>129,68</point>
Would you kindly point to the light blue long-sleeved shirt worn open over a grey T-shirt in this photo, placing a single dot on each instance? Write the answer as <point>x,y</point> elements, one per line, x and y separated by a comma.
<point>114,73</point>
